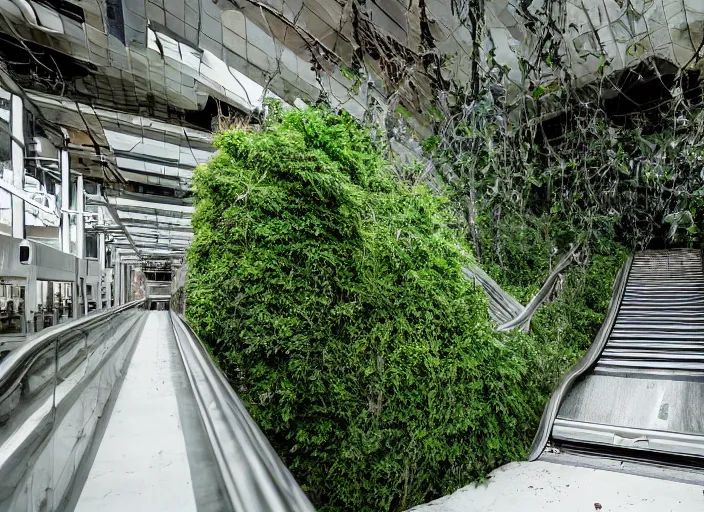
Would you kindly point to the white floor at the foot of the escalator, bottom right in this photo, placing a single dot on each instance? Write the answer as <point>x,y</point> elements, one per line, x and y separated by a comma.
<point>549,487</point>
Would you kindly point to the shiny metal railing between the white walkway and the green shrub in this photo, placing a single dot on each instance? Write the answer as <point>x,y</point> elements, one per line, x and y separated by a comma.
<point>254,478</point>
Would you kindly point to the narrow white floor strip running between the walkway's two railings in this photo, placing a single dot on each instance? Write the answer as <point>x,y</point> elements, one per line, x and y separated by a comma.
<point>142,462</point>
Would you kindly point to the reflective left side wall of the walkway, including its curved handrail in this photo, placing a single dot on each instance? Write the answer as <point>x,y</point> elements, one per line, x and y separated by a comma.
<point>52,392</point>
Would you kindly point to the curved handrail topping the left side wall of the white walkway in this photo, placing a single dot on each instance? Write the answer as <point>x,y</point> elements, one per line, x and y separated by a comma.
<point>17,363</point>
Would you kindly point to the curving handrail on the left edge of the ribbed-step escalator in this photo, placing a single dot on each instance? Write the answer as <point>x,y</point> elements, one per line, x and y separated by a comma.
<point>585,364</point>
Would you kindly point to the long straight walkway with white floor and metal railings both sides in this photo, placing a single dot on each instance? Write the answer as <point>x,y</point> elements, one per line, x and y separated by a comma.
<point>124,410</point>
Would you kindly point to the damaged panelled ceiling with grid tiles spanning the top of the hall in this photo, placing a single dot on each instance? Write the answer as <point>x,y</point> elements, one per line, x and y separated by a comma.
<point>137,86</point>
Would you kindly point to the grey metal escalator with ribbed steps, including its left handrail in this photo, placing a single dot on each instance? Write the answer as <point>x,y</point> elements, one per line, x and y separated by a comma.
<point>638,394</point>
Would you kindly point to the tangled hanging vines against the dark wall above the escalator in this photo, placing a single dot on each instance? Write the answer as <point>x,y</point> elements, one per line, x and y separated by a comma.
<point>565,161</point>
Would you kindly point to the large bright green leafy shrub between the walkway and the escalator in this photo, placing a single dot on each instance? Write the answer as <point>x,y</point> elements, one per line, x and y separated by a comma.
<point>332,297</point>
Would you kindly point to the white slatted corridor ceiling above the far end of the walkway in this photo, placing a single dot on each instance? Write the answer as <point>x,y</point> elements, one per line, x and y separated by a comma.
<point>145,166</point>
